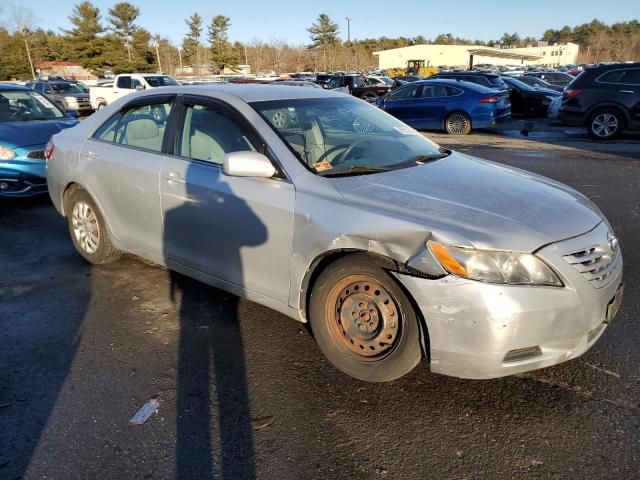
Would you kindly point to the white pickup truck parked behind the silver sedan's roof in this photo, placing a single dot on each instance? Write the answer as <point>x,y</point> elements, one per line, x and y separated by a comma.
<point>123,84</point>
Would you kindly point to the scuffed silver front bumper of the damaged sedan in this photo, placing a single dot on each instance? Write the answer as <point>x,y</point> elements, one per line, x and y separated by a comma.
<point>479,330</point>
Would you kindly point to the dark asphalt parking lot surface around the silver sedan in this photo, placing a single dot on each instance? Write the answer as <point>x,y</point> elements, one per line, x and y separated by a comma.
<point>82,348</point>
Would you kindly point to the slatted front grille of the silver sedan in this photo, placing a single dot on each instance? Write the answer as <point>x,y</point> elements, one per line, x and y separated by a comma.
<point>598,264</point>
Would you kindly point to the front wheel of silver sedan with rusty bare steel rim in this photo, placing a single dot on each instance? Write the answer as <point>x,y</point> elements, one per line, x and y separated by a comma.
<point>363,321</point>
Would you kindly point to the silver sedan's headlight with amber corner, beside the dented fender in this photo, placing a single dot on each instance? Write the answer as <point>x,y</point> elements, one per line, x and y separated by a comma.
<point>494,266</point>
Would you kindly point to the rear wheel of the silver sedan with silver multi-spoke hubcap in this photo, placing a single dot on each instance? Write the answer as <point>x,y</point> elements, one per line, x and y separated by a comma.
<point>88,229</point>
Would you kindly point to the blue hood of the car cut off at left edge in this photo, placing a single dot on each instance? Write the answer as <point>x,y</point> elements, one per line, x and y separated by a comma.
<point>32,132</point>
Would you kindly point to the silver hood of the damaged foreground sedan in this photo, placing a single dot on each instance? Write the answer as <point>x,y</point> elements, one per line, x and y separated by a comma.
<point>477,203</point>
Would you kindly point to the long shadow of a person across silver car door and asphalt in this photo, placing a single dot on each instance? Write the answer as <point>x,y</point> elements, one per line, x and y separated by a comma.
<point>214,428</point>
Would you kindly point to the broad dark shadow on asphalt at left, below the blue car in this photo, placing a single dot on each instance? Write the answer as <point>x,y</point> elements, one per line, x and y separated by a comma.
<point>41,323</point>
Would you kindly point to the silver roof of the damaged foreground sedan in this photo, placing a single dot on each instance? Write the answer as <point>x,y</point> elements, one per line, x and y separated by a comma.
<point>251,92</point>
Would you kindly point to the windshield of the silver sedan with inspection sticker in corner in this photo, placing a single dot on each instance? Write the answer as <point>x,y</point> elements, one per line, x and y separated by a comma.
<point>339,133</point>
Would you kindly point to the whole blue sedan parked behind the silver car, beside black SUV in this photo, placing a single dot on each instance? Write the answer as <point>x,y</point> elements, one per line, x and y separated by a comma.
<point>451,105</point>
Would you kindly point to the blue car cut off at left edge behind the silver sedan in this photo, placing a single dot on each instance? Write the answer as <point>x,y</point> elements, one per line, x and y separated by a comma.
<point>27,121</point>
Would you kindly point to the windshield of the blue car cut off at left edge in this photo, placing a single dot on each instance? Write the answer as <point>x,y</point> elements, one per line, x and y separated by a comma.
<point>21,105</point>
